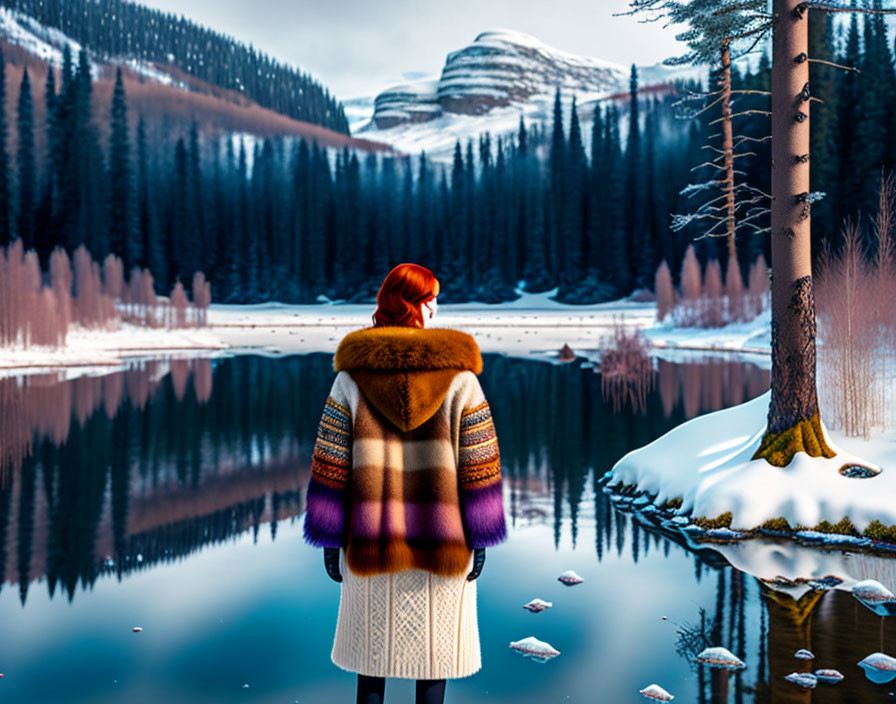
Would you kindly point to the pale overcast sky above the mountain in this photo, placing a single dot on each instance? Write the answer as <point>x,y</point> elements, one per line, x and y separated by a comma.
<point>356,47</point>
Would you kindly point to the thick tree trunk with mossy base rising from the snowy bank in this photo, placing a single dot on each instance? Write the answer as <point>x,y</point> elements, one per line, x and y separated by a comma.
<point>793,420</point>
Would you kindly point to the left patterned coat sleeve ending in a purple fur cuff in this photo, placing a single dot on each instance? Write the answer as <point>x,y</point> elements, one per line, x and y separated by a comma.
<point>327,497</point>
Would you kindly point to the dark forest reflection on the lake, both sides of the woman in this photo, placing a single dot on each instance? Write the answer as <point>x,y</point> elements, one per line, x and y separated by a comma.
<point>117,472</point>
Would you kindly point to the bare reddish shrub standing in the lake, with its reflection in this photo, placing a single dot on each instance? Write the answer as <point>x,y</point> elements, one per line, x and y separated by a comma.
<point>626,370</point>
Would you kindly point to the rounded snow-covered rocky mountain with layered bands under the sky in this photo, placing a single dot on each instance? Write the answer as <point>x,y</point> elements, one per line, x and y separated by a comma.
<point>489,85</point>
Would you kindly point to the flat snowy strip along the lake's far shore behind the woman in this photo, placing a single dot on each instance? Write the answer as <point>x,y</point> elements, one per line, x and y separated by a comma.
<point>533,325</point>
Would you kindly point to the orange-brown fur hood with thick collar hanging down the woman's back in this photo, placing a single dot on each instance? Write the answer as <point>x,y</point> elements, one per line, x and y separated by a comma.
<point>405,372</point>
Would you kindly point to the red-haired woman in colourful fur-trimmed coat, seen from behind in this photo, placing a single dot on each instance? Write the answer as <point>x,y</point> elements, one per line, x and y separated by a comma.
<point>405,494</point>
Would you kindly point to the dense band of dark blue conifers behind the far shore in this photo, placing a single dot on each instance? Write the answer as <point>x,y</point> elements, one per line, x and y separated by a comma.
<point>285,219</point>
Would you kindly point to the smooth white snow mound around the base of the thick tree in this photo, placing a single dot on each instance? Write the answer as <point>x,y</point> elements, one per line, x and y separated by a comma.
<point>707,463</point>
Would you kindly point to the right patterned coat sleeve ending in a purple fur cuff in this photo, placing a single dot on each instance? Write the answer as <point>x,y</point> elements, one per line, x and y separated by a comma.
<point>479,478</point>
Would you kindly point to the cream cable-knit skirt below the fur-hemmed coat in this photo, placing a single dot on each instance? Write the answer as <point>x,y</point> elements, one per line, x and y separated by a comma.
<point>411,624</point>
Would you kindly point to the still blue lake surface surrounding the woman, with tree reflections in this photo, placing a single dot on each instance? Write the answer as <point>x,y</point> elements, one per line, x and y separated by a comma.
<point>169,498</point>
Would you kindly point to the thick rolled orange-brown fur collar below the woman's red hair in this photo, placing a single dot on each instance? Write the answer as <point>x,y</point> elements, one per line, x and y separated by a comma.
<point>408,349</point>
